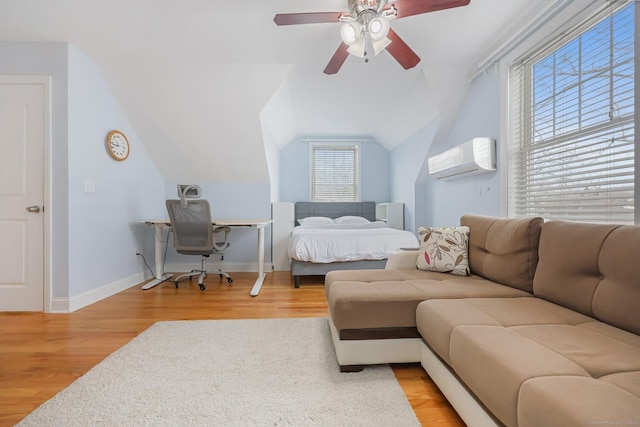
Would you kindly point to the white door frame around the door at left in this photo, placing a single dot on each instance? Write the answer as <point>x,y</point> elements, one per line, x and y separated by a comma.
<point>47,201</point>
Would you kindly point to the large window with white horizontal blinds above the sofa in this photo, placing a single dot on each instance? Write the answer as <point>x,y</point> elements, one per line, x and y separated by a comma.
<point>571,154</point>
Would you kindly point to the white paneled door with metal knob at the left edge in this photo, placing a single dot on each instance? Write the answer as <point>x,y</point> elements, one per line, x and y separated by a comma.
<point>22,142</point>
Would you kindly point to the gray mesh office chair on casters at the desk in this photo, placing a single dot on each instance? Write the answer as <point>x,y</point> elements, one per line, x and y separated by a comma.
<point>193,234</point>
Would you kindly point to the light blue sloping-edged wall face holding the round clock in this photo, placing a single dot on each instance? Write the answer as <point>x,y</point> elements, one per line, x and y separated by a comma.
<point>105,227</point>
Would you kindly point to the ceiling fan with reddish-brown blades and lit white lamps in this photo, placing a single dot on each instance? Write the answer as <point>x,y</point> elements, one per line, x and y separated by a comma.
<point>366,27</point>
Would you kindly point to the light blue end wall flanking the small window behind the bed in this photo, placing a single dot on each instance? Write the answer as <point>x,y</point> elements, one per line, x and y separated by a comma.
<point>294,172</point>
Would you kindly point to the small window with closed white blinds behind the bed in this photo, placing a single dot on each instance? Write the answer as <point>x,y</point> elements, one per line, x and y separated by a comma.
<point>335,172</point>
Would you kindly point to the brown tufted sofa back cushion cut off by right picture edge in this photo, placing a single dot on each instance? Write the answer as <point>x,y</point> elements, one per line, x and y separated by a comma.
<point>593,269</point>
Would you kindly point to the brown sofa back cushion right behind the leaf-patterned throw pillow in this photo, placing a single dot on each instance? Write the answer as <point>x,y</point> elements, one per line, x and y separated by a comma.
<point>504,250</point>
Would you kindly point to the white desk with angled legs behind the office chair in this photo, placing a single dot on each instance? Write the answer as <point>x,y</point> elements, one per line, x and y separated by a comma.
<point>260,225</point>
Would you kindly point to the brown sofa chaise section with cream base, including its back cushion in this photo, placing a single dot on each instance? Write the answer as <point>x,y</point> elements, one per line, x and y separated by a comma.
<point>373,312</point>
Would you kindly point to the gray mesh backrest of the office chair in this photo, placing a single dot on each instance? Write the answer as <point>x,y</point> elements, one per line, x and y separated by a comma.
<point>191,226</point>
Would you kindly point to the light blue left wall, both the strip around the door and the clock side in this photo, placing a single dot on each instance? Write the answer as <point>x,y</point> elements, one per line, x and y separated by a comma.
<point>90,233</point>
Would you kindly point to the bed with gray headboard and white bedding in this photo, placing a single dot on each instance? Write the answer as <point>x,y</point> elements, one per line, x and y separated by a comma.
<point>356,241</point>
